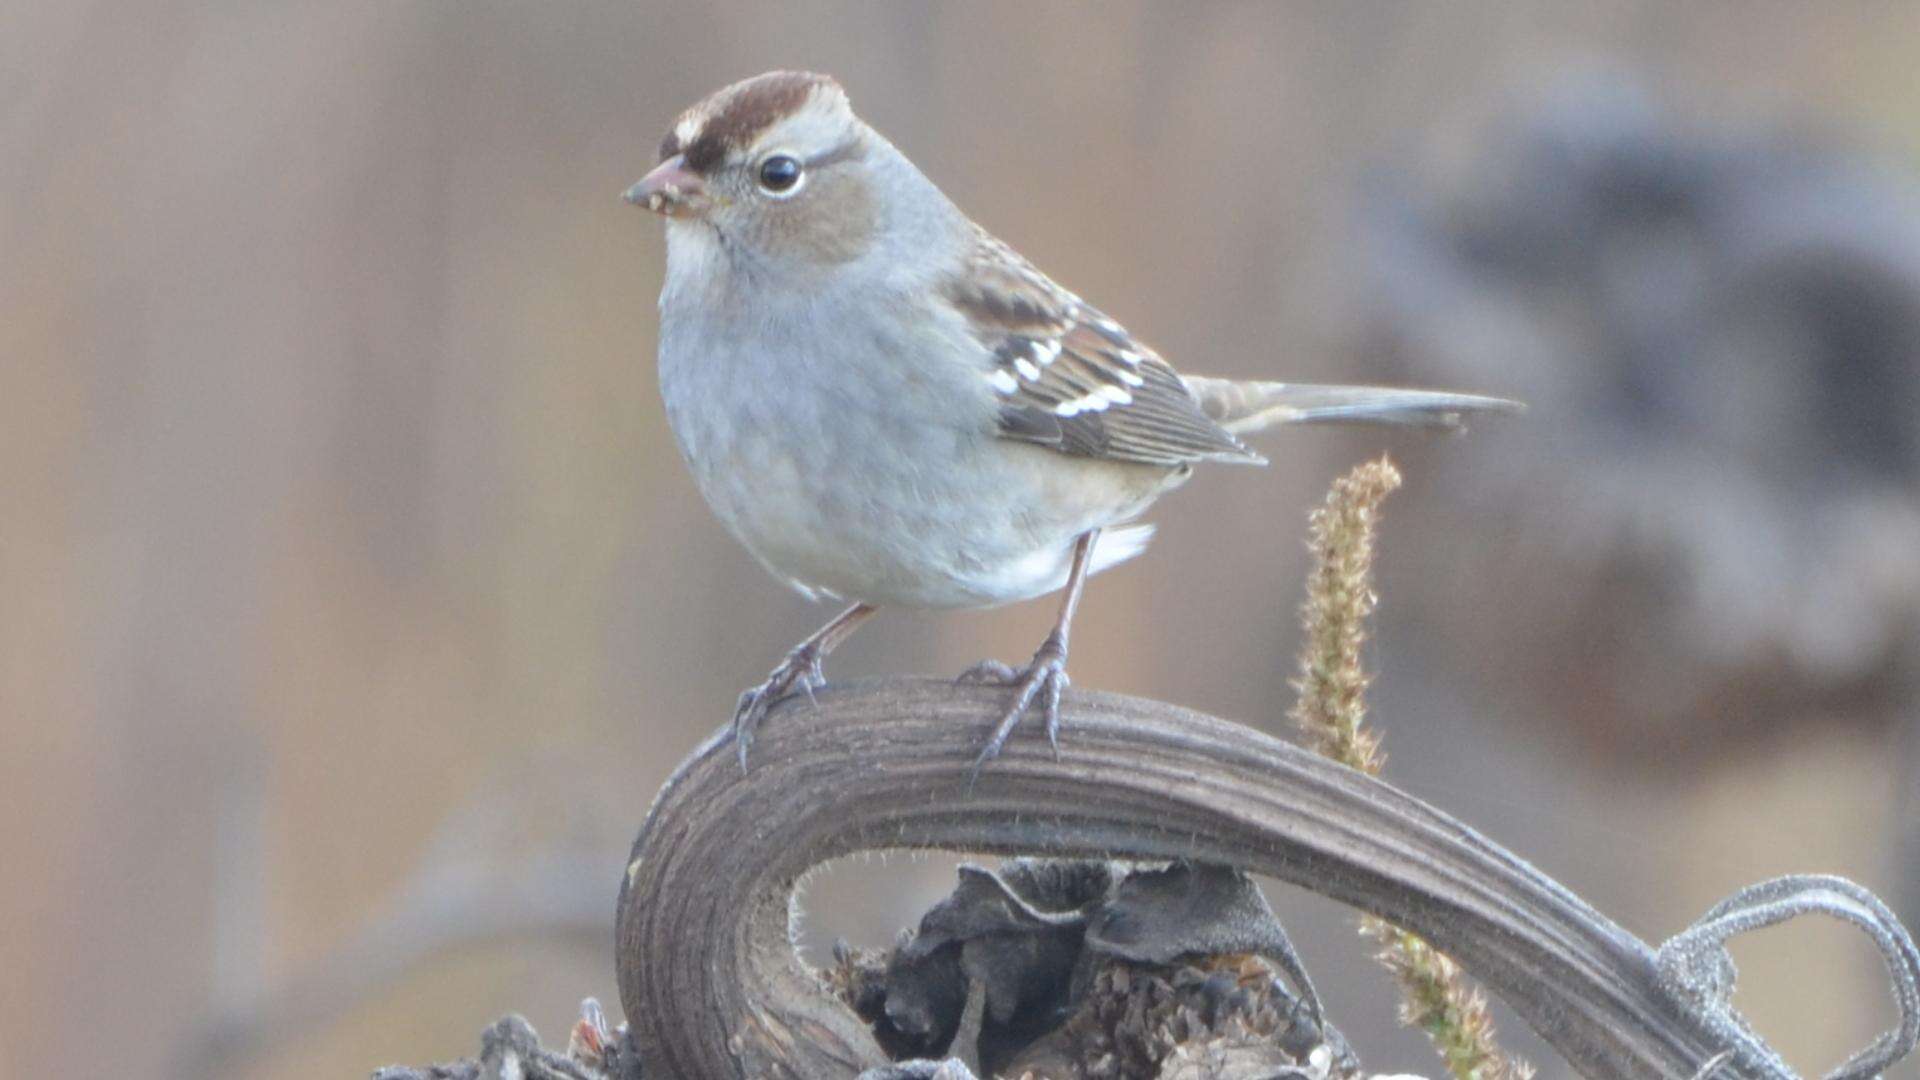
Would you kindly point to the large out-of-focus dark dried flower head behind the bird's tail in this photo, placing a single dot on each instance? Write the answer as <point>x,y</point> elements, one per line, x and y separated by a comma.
<point>1712,524</point>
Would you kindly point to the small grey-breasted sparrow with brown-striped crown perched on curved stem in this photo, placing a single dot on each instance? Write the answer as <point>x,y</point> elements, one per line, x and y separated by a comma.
<point>890,406</point>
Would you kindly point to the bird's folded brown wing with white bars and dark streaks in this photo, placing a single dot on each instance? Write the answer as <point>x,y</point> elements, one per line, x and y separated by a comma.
<point>1076,381</point>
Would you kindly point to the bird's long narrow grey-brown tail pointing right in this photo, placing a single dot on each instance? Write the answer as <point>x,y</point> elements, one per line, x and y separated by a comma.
<point>1245,408</point>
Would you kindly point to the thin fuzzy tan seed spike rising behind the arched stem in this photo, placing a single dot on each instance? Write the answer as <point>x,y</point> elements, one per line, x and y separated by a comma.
<point>1333,714</point>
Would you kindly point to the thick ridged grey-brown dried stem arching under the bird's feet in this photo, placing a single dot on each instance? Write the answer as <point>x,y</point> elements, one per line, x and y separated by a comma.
<point>711,985</point>
